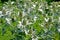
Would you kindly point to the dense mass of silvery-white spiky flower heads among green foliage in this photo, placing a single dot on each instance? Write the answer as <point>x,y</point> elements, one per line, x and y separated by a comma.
<point>29,20</point>
